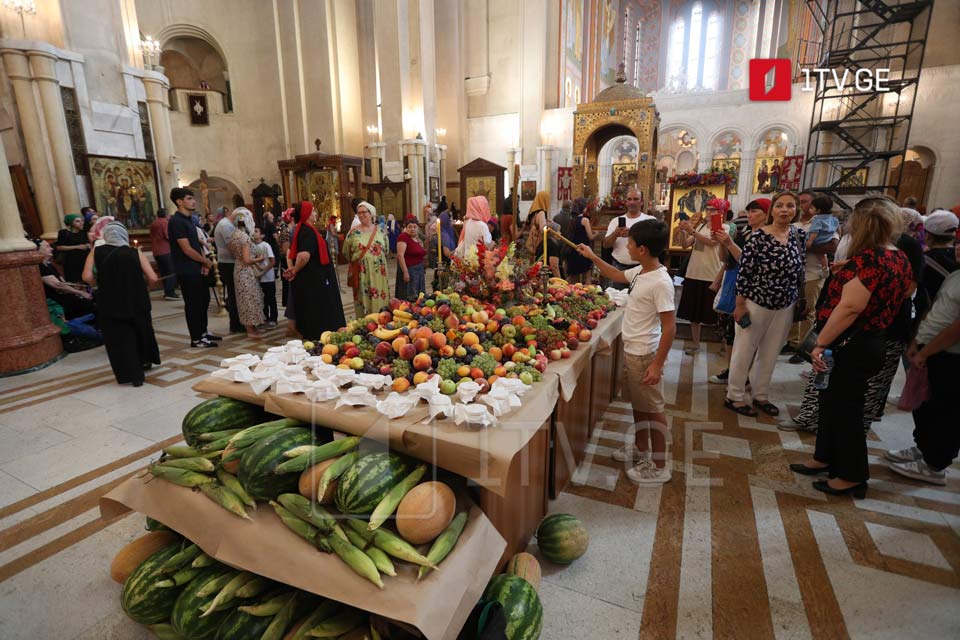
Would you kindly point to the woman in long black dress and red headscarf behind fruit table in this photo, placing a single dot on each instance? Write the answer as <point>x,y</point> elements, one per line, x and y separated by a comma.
<point>313,277</point>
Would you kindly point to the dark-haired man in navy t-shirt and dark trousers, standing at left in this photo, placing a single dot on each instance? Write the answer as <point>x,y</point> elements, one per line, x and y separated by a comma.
<point>191,268</point>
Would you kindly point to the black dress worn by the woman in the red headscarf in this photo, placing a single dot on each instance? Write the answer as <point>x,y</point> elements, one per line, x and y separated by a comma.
<point>316,293</point>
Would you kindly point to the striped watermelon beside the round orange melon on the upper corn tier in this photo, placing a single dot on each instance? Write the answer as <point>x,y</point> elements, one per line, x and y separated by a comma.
<point>364,484</point>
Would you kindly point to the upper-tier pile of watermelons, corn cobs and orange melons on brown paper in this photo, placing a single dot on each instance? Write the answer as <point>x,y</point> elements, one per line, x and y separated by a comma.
<point>299,470</point>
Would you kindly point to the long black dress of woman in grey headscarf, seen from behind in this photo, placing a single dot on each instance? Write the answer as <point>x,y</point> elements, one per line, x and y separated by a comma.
<point>124,312</point>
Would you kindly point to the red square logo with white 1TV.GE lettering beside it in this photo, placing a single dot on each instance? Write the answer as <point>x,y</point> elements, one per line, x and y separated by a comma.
<point>771,79</point>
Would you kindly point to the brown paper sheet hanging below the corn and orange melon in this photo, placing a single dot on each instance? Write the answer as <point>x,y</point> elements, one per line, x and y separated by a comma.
<point>438,605</point>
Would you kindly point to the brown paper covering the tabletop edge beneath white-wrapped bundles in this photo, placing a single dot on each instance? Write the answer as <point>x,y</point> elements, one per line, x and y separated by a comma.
<point>483,456</point>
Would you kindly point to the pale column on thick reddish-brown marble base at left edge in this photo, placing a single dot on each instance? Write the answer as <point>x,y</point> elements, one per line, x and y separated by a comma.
<point>27,337</point>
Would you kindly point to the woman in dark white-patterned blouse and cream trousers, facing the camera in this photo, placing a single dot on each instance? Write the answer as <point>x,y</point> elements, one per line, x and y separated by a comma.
<point>768,285</point>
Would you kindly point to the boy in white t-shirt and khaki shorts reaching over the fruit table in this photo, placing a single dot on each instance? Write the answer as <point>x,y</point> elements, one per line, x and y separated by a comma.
<point>649,326</point>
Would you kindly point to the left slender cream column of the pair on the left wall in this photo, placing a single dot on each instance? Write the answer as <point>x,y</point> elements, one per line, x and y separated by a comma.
<point>18,69</point>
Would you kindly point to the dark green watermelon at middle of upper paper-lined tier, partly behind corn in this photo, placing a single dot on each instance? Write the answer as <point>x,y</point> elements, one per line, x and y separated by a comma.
<point>260,460</point>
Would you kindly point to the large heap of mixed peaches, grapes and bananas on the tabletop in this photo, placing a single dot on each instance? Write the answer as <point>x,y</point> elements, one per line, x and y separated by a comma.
<point>461,338</point>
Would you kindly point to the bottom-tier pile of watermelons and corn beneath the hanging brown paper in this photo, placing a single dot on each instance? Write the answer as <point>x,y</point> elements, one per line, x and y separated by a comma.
<point>180,593</point>
